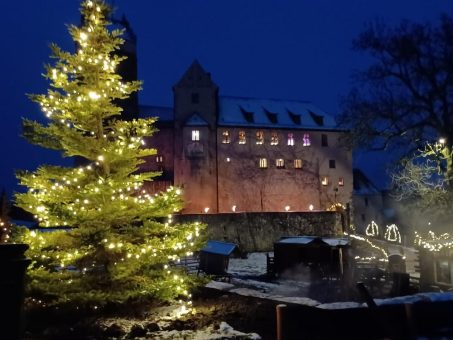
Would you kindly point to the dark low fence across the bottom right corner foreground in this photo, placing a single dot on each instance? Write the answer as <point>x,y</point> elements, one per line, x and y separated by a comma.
<point>397,321</point>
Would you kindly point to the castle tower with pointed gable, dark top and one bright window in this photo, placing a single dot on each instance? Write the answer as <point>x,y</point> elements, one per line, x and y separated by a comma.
<point>195,142</point>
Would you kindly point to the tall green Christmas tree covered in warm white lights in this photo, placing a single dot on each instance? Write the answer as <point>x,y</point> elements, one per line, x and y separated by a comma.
<point>117,240</point>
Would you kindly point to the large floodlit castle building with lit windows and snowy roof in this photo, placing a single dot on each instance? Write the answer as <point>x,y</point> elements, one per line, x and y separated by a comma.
<point>234,154</point>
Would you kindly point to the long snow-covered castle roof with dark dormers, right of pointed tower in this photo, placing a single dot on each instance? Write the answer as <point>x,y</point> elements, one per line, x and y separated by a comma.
<point>273,113</point>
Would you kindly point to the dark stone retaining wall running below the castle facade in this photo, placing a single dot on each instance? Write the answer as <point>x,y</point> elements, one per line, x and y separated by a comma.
<point>258,231</point>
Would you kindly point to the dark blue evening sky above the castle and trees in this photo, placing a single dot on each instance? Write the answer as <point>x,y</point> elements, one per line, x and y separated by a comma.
<point>286,49</point>
